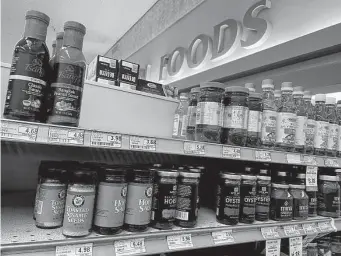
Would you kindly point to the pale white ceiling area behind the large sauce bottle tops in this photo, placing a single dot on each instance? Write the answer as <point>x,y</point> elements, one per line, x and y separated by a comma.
<point>106,21</point>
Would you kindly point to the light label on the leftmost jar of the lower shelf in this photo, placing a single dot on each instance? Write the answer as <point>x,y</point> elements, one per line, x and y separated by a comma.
<point>50,204</point>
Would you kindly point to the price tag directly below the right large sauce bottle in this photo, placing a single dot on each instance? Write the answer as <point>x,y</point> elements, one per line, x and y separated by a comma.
<point>65,136</point>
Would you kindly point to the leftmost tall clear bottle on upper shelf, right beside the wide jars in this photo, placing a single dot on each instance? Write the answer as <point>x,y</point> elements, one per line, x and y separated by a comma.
<point>269,119</point>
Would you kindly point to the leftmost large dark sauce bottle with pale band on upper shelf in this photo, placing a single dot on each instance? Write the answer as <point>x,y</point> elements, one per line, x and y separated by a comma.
<point>28,80</point>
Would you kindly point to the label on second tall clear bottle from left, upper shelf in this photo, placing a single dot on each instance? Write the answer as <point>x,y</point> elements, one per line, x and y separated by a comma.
<point>286,125</point>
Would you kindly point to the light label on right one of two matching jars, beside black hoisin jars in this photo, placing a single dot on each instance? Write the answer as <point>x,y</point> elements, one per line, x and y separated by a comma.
<point>139,203</point>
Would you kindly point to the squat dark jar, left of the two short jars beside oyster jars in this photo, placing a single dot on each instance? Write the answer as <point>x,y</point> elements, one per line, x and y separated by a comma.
<point>281,203</point>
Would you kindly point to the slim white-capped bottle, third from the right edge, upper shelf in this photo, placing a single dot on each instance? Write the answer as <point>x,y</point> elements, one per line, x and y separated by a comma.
<point>322,125</point>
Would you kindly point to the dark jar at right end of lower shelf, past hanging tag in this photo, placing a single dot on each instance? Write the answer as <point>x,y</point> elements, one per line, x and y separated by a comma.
<point>328,196</point>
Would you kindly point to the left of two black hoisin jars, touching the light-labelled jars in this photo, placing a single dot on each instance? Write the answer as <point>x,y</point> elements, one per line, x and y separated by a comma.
<point>164,199</point>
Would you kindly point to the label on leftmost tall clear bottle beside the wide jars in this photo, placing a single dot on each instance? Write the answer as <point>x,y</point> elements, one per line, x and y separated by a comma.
<point>268,132</point>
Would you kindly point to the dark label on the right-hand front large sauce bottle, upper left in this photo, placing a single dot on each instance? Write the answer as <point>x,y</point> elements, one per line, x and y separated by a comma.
<point>67,88</point>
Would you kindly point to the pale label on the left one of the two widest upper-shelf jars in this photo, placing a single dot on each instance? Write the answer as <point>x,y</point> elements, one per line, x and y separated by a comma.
<point>209,113</point>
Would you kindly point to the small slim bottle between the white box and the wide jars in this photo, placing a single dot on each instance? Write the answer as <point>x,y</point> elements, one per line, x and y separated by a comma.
<point>180,117</point>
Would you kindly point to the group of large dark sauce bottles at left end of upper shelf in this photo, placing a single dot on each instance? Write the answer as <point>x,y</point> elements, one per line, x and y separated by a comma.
<point>41,89</point>
